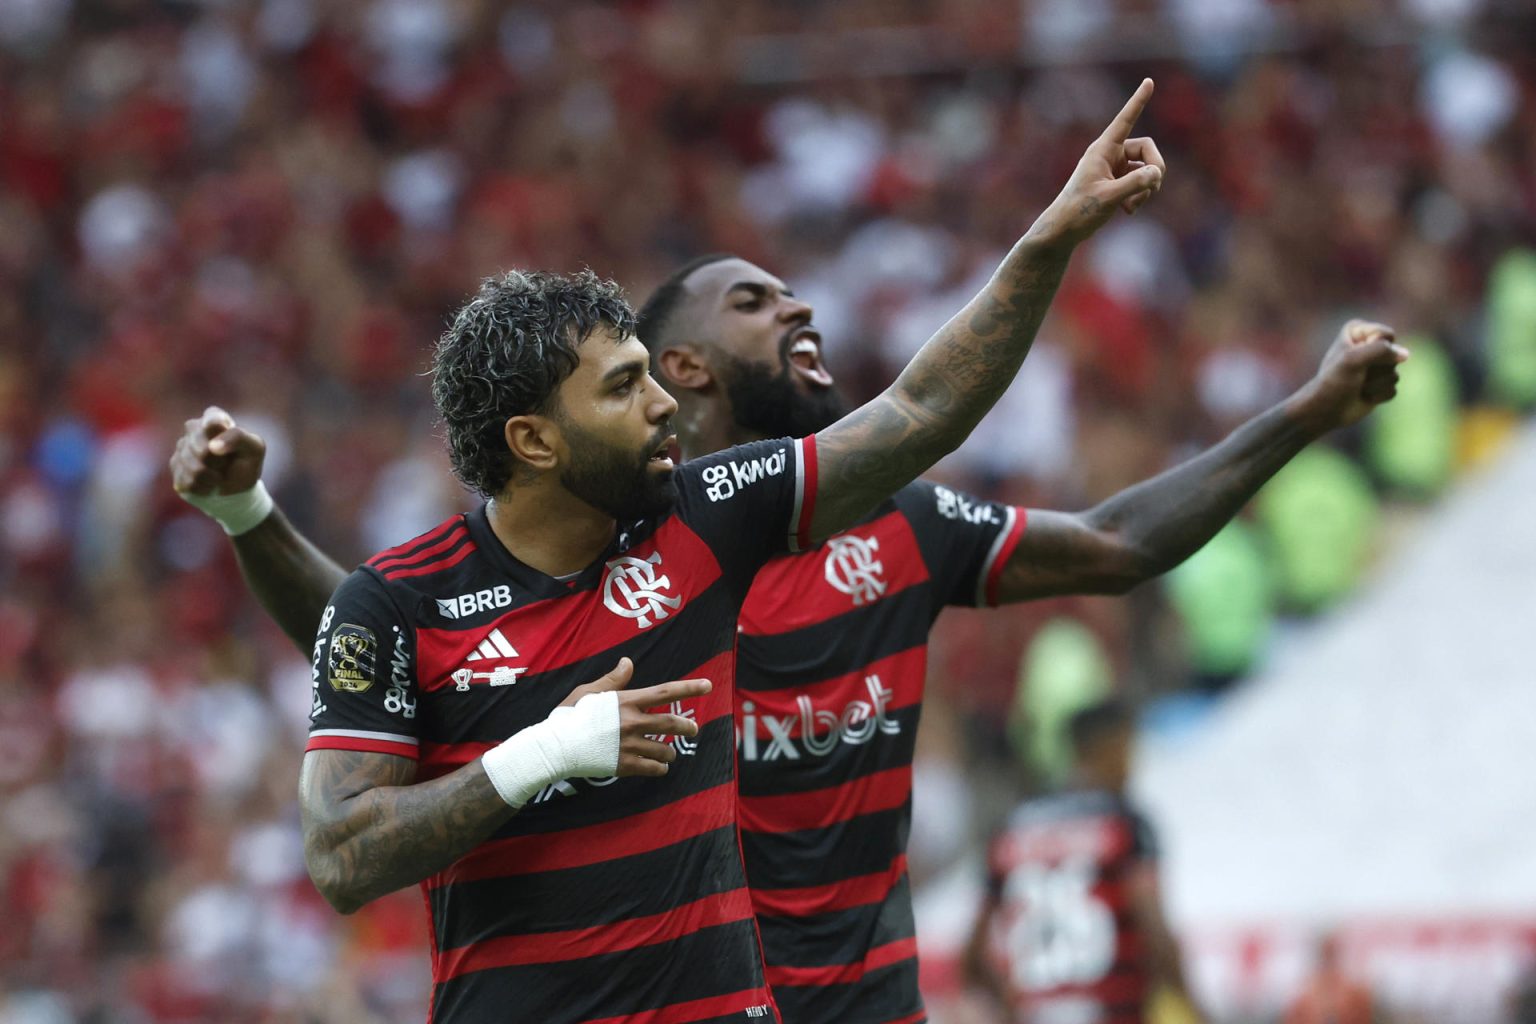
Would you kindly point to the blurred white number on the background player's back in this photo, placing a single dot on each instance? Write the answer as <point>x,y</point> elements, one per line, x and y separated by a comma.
<point>1064,934</point>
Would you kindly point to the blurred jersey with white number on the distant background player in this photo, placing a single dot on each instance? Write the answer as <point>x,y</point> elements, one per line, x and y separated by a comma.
<point>1061,873</point>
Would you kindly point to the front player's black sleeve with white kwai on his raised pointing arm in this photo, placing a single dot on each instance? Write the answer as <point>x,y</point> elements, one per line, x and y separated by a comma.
<point>753,501</point>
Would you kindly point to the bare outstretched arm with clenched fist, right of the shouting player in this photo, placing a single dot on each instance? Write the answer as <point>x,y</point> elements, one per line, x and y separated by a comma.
<point>1154,526</point>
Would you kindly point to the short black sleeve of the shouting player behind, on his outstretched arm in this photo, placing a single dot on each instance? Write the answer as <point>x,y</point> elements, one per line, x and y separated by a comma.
<point>965,541</point>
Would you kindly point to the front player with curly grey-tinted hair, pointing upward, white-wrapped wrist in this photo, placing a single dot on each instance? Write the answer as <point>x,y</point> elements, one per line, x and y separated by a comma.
<point>578,851</point>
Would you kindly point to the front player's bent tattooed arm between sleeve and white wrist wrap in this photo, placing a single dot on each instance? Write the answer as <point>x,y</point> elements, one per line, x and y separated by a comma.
<point>369,830</point>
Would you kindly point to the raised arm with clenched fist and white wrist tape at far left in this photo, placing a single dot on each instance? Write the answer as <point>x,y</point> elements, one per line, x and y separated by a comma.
<point>217,466</point>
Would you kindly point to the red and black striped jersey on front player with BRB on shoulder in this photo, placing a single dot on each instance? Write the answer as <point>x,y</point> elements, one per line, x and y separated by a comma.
<point>603,900</point>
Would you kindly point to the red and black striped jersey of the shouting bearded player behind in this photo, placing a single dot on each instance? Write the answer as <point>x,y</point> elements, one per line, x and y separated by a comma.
<point>833,656</point>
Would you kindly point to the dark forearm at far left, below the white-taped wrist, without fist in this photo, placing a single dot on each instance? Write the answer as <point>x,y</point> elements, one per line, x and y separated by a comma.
<point>290,576</point>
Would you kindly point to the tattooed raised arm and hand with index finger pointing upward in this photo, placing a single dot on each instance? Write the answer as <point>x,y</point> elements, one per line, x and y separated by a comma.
<point>964,369</point>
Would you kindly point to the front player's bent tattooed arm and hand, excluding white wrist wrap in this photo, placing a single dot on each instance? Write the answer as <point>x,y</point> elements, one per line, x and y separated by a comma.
<point>371,828</point>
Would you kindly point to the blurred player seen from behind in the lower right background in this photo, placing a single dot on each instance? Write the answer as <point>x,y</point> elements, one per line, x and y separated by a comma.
<point>1073,908</point>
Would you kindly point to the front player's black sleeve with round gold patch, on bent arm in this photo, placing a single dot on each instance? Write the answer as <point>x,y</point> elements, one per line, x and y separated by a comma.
<point>363,673</point>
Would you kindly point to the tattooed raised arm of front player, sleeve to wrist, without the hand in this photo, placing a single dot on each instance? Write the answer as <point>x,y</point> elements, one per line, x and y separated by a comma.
<point>942,395</point>
